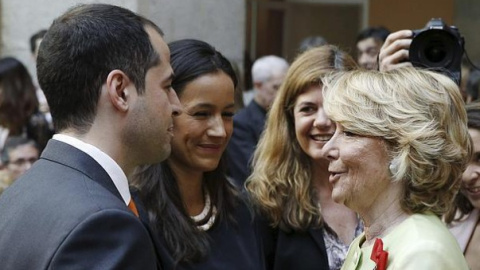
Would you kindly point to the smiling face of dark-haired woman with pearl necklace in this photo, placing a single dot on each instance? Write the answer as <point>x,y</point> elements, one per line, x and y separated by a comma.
<point>202,132</point>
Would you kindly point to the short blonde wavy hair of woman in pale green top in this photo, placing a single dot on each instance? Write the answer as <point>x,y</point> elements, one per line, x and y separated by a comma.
<point>421,116</point>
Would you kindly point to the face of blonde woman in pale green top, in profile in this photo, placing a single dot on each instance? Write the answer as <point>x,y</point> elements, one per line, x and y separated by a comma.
<point>358,169</point>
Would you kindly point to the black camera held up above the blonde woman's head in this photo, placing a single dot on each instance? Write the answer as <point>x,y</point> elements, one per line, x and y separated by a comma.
<point>438,47</point>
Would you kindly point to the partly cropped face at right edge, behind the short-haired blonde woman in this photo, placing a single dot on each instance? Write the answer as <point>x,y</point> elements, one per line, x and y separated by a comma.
<point>471,176</point>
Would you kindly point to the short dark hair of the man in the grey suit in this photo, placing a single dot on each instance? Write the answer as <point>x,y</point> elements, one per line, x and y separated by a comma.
<point>78,52</point>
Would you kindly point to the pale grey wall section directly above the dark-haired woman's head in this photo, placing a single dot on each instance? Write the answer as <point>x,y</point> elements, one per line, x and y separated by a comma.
<point>218,22</point>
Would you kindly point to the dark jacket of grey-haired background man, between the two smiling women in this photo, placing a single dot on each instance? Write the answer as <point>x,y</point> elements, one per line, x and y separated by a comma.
<point>248,125</point>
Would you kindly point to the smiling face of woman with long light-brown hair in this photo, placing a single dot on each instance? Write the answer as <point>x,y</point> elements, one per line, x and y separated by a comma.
<point>312,126</point>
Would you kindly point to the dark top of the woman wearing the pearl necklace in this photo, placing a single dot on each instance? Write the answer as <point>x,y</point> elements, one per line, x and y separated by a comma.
<point>232,246</point>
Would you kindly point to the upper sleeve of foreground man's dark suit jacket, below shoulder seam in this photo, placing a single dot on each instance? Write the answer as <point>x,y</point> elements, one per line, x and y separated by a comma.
<point>113,236</point>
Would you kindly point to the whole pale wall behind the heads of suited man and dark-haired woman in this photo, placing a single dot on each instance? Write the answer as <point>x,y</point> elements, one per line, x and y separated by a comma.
<point>219,22</point>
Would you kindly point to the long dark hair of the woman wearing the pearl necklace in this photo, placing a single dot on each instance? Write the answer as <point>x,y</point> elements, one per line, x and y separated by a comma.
<point>157,184</point>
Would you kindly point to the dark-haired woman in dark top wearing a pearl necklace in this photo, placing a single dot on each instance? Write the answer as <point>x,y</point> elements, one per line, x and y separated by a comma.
<point>198,216</point>
